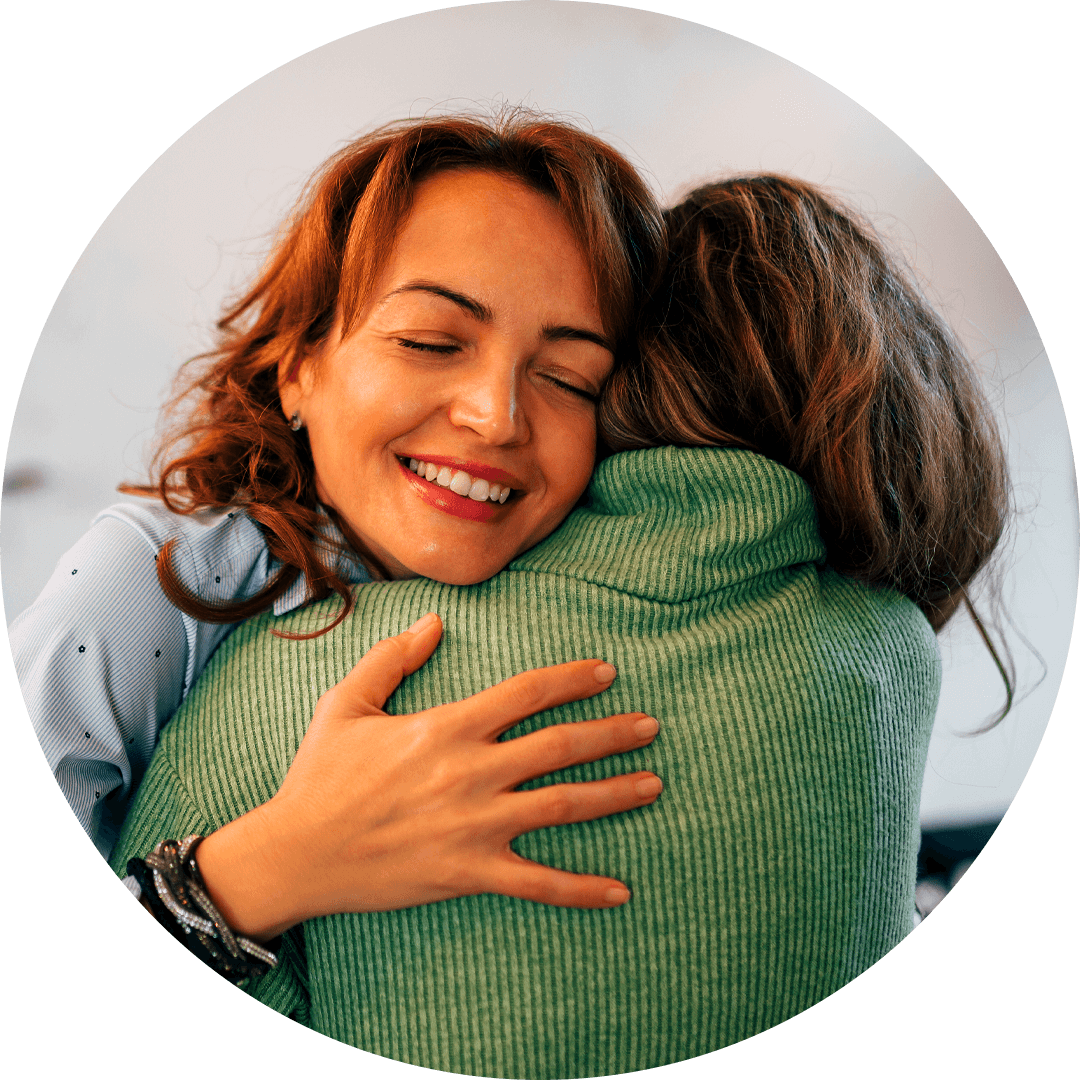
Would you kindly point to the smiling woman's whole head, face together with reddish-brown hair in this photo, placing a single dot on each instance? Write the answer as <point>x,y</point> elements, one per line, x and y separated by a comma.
<point>449,291</point>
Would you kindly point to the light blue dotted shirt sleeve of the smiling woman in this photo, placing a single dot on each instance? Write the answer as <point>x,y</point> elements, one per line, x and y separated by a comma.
<point>102,658</point>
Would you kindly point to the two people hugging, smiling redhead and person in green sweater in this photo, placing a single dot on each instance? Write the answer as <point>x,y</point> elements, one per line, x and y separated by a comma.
<point>523,661</point>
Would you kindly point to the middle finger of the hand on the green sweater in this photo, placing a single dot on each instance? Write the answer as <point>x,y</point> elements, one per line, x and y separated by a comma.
<point>565,745</point>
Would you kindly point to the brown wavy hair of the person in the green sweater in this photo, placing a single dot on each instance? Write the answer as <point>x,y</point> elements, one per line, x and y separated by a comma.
<point>786,327</point>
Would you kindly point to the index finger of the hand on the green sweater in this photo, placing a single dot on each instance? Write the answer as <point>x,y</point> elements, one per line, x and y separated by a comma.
<point>502,707</point>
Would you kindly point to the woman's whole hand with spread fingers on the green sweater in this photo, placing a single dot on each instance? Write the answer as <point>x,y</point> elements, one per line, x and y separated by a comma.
<point>380,813</point>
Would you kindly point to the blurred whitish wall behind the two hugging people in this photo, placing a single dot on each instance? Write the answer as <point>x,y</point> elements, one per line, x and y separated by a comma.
<point>685,103</point>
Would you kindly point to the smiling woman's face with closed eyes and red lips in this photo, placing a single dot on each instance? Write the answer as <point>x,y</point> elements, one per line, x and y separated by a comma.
<point>481,355</point>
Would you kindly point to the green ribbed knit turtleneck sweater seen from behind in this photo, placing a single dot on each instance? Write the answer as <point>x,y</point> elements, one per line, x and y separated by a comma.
<point>778,865</point>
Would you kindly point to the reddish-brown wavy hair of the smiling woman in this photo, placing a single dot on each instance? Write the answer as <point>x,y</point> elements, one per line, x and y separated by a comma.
<point>232,445</point>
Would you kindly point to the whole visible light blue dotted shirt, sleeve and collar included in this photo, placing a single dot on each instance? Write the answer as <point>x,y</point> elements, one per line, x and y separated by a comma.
<point>104,659</point>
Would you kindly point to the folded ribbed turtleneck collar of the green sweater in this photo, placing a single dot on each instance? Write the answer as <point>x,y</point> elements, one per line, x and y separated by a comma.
<point>673,524</point>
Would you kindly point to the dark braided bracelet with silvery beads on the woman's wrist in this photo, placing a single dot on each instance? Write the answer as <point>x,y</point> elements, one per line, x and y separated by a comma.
<point>171,882</point>
